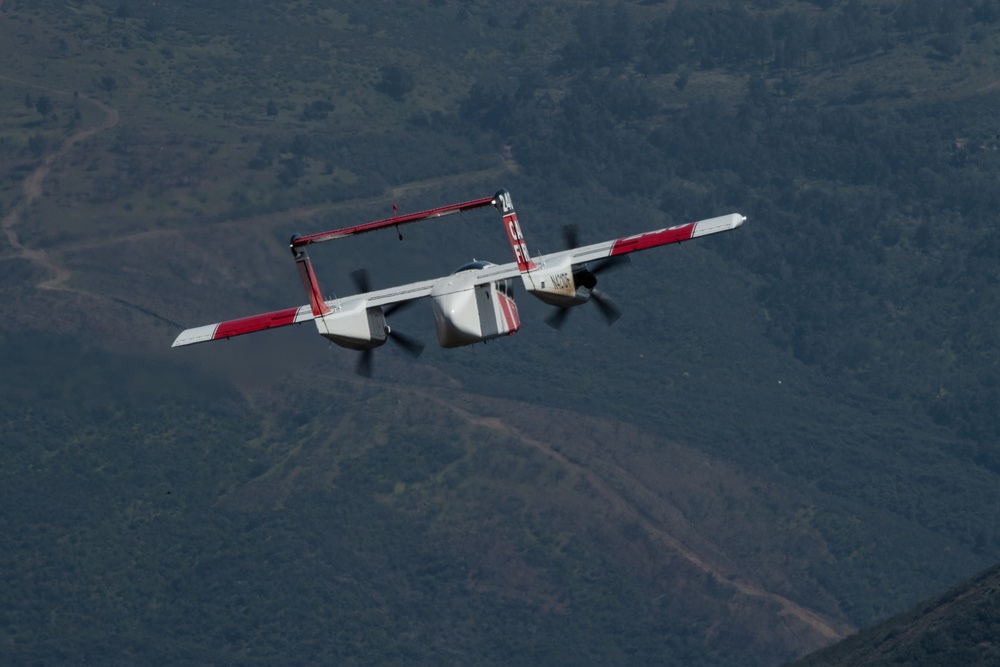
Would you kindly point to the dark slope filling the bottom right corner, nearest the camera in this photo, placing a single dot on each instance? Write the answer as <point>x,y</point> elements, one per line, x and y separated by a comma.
<point>957,628</point>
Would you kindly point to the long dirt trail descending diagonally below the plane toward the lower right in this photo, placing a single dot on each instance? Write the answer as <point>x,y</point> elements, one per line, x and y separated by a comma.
<point>825,627</point>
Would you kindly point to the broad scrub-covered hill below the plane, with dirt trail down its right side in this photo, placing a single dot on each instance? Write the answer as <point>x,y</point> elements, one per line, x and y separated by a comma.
<point>415,524</point>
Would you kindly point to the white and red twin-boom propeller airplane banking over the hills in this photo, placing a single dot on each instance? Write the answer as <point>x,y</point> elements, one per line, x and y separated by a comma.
<point>473,304</point>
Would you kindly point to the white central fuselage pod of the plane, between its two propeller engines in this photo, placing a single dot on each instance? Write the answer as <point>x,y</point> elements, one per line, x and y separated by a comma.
<point>466,313</point>
